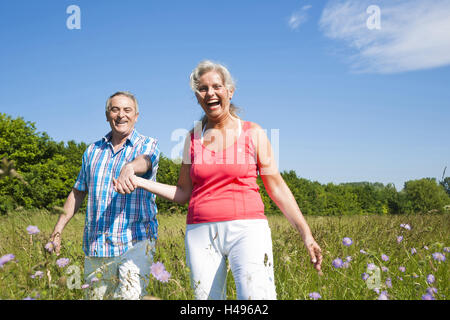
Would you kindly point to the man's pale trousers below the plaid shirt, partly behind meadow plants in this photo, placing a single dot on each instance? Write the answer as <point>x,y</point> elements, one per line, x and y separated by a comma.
<point>123,277</point>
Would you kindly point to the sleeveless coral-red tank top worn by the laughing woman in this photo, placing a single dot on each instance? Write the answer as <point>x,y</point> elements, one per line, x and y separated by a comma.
<point>224,183</point>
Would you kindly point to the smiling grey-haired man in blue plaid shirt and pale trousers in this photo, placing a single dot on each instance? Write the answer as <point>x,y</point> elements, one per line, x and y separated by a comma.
<point>120,230</point>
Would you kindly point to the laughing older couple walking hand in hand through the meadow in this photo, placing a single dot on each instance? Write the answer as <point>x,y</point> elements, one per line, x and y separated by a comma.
<point>218,174</point>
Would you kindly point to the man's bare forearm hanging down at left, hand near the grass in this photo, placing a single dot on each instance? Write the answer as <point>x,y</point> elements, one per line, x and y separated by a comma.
<point>71,206</point>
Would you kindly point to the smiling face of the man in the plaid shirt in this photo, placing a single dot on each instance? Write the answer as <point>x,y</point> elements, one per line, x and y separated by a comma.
<point>122,116</point>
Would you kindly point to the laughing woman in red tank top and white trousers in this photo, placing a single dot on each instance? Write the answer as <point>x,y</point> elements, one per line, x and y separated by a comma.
<point>226,215</point>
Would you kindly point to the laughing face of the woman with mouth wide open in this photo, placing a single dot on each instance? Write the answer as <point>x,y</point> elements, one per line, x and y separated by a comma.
<point>213,95</point>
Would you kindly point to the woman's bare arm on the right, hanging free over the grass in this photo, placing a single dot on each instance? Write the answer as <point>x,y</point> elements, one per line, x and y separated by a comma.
<point>279,192</point>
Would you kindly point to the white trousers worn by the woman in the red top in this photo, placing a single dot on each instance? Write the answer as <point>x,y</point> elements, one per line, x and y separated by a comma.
<point>248,246</point>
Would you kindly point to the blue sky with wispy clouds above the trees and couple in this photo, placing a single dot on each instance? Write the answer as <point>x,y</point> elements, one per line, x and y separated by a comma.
<point>350,103</point>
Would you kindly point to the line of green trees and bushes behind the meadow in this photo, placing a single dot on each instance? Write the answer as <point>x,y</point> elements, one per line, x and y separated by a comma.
<point>38,172</point>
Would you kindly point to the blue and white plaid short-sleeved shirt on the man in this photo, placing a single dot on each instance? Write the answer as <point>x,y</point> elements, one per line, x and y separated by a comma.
<point>114,222</point>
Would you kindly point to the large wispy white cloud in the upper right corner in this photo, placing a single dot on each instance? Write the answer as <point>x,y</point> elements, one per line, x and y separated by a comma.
<point>414,34</point>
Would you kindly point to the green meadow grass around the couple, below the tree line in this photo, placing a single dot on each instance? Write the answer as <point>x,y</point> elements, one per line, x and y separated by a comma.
<point>294,276</point>
